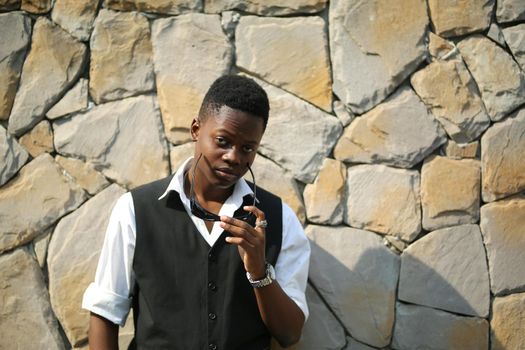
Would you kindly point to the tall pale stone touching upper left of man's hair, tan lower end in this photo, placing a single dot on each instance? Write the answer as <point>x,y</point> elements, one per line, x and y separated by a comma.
<point>185,47</point>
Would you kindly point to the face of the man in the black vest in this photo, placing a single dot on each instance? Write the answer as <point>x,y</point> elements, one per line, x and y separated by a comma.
<point>228,141</point>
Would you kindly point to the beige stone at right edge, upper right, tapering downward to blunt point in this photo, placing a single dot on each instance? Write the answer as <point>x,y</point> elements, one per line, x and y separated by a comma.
<point>498,76</point>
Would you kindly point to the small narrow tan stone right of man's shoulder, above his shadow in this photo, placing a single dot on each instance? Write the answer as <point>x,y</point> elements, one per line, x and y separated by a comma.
<point>324,198</point>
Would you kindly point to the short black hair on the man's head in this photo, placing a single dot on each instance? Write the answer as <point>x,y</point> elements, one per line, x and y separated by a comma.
<point>237,92</point>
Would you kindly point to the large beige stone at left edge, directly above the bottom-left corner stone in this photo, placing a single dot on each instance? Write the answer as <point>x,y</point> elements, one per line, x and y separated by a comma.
<point>42,182</point>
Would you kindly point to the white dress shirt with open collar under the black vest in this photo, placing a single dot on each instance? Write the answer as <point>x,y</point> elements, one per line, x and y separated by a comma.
<point>110,294</point>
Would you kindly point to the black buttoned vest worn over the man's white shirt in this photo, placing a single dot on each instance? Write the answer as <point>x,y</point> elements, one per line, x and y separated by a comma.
<point>187,295</point>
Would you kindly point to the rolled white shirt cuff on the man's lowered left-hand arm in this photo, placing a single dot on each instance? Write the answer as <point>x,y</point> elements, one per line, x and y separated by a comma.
<point>107,304</point>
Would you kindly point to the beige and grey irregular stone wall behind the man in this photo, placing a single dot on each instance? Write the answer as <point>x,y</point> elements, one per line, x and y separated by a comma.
<point>397,134</point>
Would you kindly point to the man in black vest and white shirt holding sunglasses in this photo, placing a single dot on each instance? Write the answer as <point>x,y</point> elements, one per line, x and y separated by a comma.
<point>206,260</point>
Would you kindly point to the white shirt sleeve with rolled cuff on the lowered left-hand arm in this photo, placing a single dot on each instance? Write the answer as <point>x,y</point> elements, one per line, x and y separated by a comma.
<point>110,294</point>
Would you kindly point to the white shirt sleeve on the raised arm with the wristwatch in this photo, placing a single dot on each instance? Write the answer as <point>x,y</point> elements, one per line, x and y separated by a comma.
<point>291,269</point>
